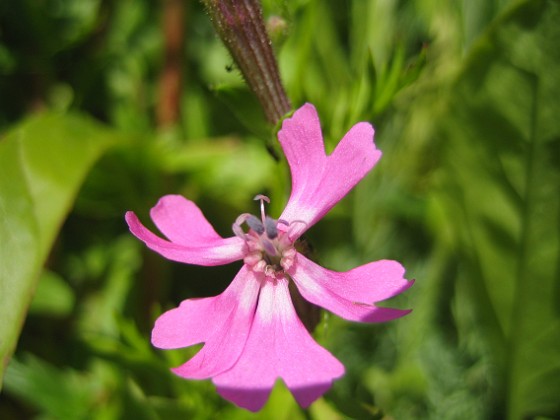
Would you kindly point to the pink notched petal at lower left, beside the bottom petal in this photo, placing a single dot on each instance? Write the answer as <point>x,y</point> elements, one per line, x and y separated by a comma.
<point>221,322</point>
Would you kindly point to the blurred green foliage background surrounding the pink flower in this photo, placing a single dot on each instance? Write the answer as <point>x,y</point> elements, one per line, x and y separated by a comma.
<point>464,98</point>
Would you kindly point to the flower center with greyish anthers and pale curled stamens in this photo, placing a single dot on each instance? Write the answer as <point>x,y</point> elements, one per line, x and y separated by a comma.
<point>269,247</point>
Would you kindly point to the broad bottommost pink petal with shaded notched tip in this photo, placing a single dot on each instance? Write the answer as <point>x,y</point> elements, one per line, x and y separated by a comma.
<point>278,346</point>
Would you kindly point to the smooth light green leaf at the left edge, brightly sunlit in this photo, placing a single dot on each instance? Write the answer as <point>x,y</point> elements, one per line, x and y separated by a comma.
<point>42,165</point>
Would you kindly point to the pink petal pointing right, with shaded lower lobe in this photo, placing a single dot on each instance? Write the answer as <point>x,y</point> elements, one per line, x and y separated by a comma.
<point>351,294</point>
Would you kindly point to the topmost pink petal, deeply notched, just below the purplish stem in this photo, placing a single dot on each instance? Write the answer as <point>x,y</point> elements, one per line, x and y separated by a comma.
<point>320,181</point>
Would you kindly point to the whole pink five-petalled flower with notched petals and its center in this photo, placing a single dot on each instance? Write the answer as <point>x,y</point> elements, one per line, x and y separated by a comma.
<point>251,333</point>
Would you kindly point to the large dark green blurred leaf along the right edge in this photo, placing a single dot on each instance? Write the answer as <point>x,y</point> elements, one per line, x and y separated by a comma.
<point>503,181</point>
